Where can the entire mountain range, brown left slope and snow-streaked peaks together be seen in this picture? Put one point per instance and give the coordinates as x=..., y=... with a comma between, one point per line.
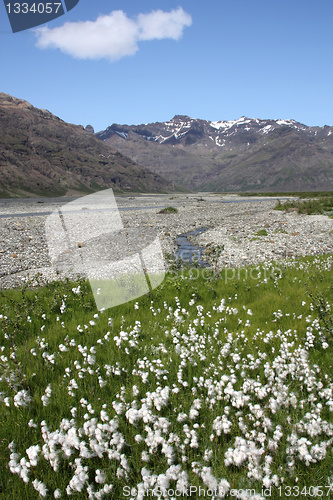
x=40, y=154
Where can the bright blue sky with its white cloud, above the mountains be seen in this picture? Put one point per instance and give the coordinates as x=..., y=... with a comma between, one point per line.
x=213, y=59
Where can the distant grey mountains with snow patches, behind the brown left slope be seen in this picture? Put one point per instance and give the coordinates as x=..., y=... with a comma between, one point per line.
x=241, y=155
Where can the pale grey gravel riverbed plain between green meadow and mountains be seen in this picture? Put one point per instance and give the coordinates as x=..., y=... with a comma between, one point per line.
x=233, y=223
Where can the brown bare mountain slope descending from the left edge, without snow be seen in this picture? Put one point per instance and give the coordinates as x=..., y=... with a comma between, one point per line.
x=43, y=155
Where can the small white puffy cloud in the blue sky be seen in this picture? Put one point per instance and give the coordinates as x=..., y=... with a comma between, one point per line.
x=113, y=36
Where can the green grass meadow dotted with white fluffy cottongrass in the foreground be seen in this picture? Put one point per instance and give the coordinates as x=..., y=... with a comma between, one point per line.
x=210, y=387
